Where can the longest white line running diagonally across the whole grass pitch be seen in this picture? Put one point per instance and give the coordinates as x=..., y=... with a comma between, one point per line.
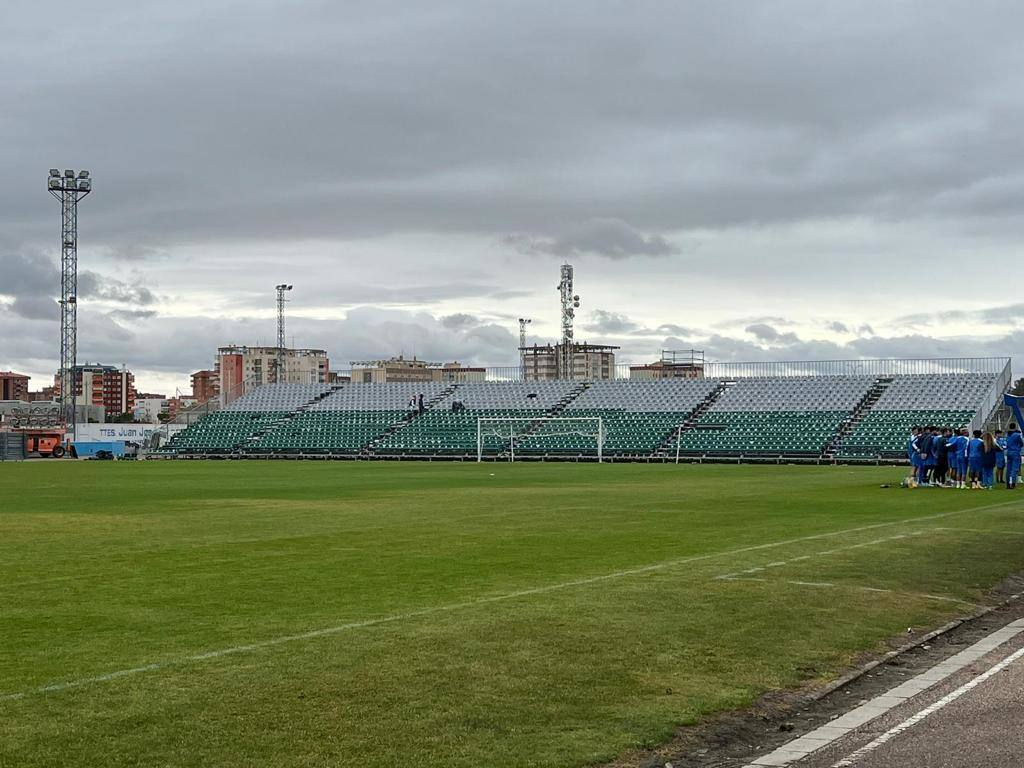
x=664, y=566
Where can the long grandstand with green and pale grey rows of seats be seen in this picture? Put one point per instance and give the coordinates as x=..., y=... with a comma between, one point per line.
x=850, y=411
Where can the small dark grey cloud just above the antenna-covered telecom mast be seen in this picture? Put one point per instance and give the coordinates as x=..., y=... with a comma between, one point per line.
x=612, y=238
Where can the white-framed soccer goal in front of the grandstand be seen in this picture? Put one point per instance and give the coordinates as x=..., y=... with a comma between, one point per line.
x=561, y=434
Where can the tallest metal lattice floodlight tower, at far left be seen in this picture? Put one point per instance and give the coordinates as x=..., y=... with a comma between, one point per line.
x=68, y=190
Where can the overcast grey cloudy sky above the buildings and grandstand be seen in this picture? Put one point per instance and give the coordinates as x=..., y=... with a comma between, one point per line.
x=763, y=181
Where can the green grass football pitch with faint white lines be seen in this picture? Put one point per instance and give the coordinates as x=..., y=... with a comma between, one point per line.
x=254, y=614
